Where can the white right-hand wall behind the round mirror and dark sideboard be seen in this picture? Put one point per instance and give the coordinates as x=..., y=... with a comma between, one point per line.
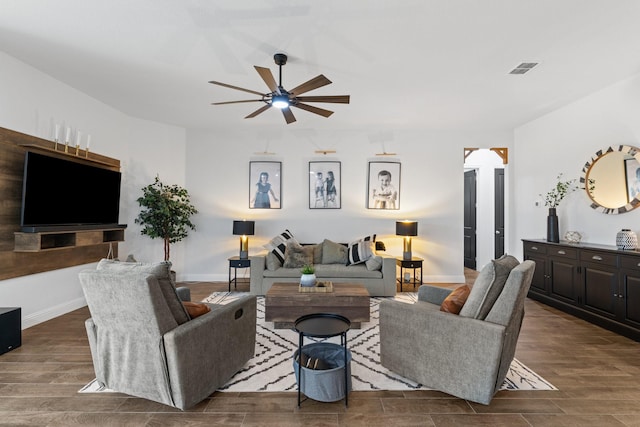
x=562, y=142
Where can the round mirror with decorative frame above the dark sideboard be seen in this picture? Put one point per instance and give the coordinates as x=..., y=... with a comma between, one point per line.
x=612, y=179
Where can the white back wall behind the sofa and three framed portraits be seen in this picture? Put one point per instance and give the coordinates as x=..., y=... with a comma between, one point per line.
x=431, y=193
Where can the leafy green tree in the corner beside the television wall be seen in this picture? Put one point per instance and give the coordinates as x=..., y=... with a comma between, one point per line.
x=166, y=213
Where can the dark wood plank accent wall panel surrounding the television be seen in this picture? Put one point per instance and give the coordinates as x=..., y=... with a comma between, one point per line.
x=13, y=146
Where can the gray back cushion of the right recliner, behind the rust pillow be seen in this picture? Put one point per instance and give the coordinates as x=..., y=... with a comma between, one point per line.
x=488, y=286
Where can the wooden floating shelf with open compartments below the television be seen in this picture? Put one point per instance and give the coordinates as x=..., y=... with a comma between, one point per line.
x=54, y=240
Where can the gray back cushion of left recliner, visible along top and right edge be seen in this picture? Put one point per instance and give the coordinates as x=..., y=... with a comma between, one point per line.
x=162, y=271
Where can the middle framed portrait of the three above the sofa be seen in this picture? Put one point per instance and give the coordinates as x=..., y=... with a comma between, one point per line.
x=324, y=185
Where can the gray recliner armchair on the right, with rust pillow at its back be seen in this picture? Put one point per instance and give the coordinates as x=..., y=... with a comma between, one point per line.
x=467, y=354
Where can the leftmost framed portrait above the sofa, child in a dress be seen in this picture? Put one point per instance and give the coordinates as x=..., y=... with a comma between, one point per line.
x=265, y=185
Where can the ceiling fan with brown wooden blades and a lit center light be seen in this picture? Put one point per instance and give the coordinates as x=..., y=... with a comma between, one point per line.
x=281, y=98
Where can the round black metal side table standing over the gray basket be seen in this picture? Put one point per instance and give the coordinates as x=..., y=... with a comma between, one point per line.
x=324, y=325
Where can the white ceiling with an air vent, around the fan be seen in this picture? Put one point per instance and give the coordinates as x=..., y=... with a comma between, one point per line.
x=432, y=64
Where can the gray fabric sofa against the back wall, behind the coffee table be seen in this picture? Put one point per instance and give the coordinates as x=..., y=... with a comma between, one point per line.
x=378, y=277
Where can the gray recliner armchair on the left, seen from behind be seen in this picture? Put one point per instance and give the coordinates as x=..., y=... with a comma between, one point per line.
x=143, y=342
